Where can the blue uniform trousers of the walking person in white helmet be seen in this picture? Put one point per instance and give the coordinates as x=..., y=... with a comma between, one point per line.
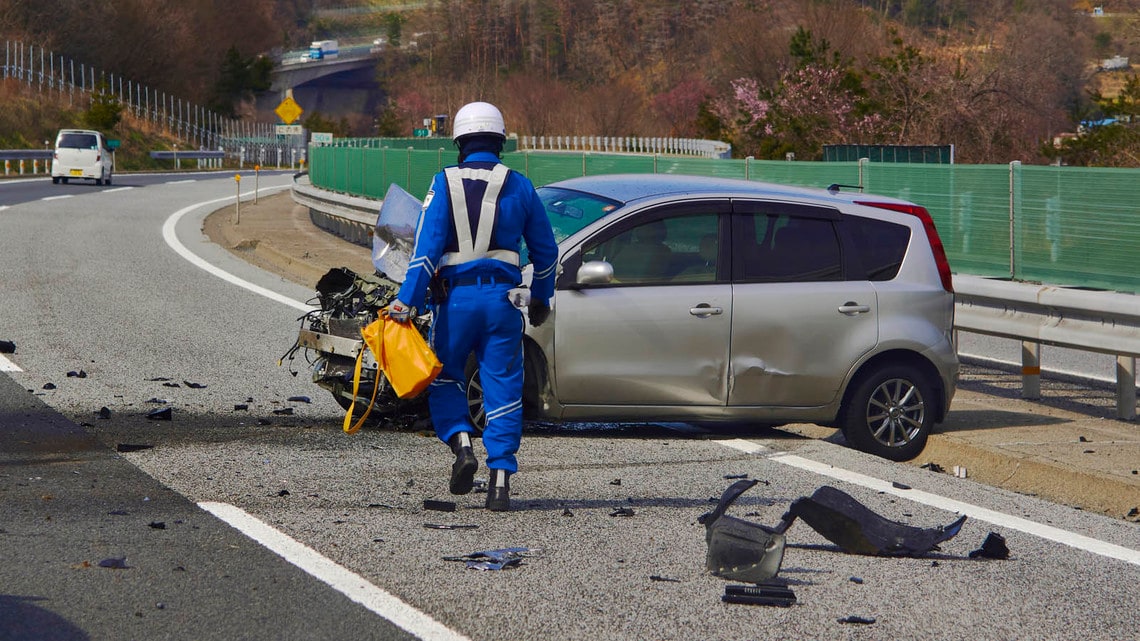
x=479, y=319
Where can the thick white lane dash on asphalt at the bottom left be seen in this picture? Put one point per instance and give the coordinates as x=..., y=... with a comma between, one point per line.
x=340, y=579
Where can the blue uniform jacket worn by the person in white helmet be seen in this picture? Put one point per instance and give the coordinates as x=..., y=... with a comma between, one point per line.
x=519, y=216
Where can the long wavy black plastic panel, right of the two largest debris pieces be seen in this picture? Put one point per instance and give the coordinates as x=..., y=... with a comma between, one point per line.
x=857, y=530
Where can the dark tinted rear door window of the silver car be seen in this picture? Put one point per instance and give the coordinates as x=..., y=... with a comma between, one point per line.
x=791, y=249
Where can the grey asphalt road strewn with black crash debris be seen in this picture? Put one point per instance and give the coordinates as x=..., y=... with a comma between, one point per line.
x=100, y=285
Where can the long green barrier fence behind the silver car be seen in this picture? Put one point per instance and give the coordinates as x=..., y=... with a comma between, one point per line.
x=1057, y=225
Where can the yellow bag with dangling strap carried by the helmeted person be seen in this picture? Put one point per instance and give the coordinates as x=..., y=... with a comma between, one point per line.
x=404, y=356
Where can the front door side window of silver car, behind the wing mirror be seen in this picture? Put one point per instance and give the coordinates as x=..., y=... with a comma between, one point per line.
x=682, y=249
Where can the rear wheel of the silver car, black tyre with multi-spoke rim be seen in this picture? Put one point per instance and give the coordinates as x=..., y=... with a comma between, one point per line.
x=891, y=413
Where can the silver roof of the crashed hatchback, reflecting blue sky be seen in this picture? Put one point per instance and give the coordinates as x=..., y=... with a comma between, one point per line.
x=629, y=188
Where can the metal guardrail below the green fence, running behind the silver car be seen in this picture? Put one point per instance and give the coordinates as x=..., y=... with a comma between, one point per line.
x=1081, y=320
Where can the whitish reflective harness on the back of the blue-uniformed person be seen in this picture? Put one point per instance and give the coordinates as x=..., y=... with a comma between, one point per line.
x=474, y=249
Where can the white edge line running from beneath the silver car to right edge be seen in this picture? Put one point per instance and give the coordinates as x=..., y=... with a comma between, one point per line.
x=1071, y=539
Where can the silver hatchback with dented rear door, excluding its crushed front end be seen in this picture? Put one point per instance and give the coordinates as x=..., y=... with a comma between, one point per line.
x=715, y=301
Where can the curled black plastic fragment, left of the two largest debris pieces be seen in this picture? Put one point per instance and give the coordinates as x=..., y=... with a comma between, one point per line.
x=740, y=550
